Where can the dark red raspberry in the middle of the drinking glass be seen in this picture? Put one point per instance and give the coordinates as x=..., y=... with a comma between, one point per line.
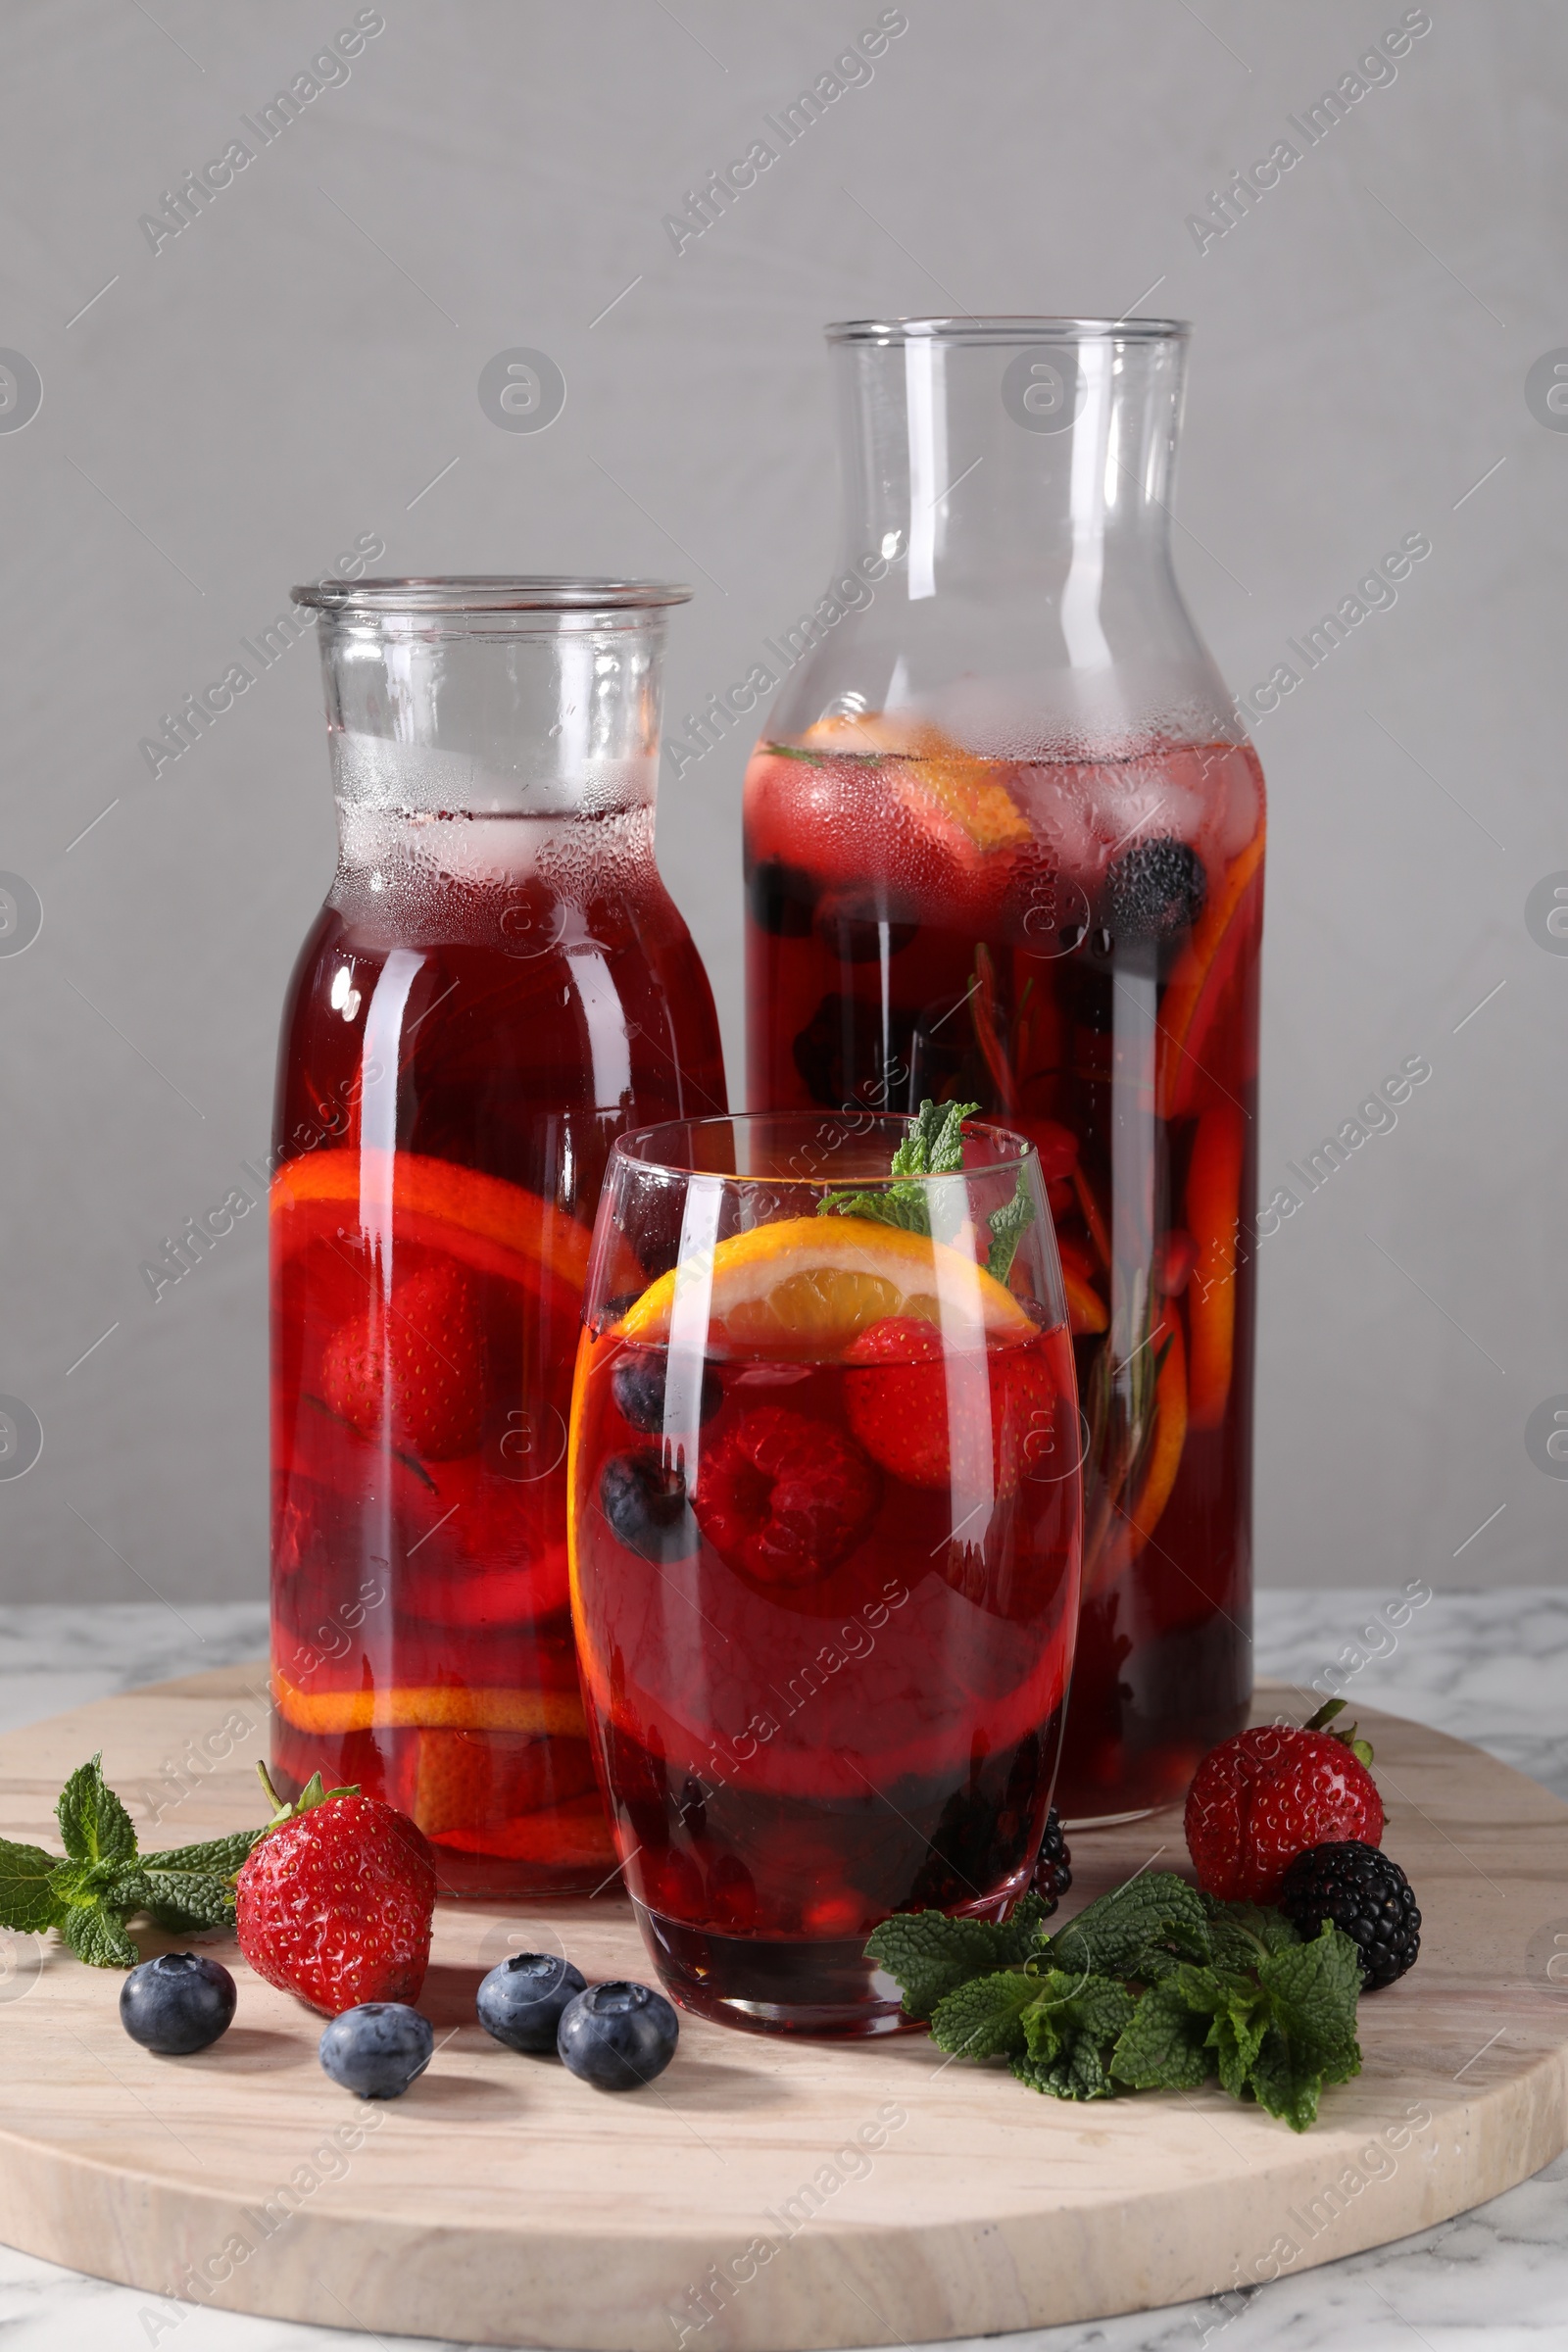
x=784, y=1497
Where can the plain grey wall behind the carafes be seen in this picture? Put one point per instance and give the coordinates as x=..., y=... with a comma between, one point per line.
x=302, y=366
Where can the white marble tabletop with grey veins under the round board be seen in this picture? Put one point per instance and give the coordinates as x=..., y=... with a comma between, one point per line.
x=1480, y=1666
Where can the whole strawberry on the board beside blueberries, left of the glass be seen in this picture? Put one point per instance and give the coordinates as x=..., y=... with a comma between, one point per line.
x=335, y=1904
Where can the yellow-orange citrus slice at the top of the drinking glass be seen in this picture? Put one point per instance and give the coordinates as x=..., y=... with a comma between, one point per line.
x=819, y=1281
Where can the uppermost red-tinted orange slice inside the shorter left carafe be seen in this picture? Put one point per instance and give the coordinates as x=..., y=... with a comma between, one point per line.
x=492, y=1227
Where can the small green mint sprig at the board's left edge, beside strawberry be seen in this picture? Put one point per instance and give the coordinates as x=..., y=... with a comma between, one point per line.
x=105, y=1880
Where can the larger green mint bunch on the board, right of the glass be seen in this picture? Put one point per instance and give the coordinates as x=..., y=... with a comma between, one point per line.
x=1151, y=1989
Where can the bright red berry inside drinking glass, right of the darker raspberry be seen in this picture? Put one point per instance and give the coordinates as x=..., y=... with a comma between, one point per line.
x=899, y=1401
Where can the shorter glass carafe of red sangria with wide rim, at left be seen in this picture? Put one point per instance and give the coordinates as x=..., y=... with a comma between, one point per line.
x=495, y=989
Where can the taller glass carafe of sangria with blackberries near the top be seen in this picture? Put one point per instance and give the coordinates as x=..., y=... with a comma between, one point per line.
x=1005, y=843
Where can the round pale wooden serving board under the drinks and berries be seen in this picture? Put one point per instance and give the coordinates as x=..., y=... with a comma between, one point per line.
x=765, y=2193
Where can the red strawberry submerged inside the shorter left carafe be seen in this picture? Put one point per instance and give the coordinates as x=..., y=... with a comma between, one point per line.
x=424, y=1361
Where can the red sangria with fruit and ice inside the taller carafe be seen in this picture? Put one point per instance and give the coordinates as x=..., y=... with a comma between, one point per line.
x=1108, y=1010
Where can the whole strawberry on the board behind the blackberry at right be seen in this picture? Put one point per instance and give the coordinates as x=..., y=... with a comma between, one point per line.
x=1268, y=1796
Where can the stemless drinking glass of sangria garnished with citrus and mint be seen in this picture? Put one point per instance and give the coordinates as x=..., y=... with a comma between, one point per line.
x=824, y=1542
